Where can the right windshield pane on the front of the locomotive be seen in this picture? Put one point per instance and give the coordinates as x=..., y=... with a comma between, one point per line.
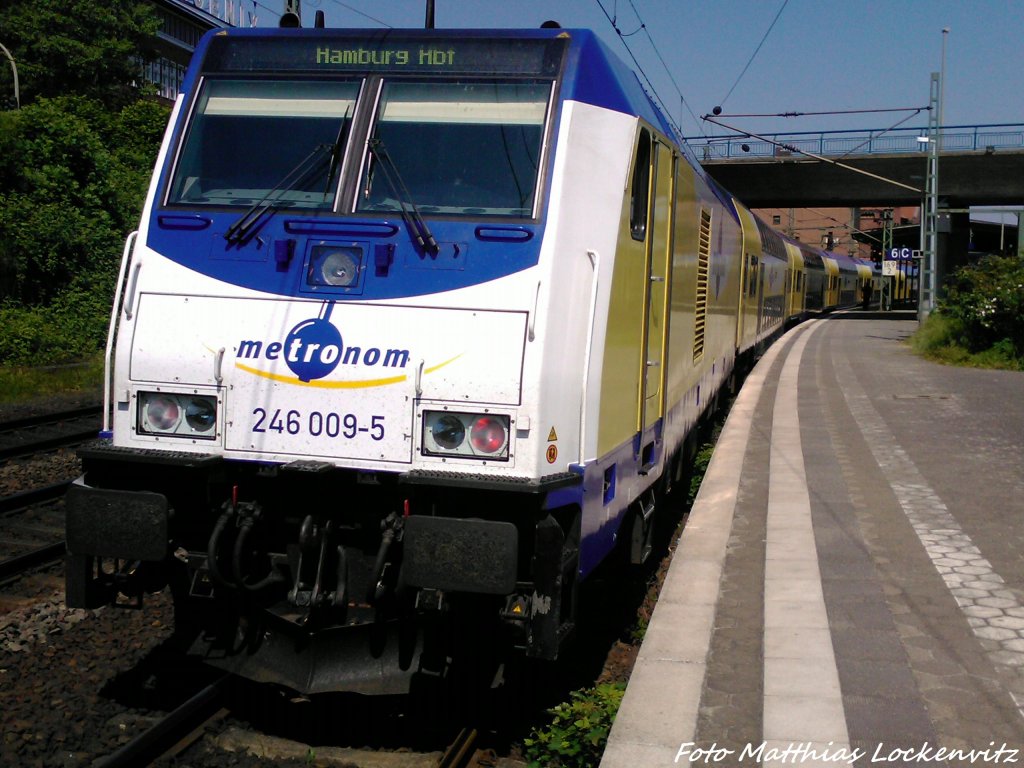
x=459, y=148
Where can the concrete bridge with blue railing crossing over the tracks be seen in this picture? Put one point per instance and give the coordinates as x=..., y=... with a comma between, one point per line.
x=979, y=165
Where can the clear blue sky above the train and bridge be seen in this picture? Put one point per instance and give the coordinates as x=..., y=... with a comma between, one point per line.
x=769, y=57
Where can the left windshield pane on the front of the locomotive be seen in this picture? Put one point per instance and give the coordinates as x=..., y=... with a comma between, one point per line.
x=251, y=139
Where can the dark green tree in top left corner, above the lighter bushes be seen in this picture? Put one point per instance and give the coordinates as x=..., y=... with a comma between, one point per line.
x=93, y=50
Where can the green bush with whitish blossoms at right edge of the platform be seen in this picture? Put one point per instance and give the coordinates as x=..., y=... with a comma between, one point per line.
x=988, y=302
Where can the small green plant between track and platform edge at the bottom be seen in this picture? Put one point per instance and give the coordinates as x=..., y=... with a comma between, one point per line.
x=579, y=730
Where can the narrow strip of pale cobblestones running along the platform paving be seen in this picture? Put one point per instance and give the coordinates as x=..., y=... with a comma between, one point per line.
x=994, y=612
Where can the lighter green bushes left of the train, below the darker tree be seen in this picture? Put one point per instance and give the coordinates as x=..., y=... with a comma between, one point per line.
x=73, y=179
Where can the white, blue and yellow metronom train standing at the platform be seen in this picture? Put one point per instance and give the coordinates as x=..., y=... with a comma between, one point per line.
x=416, y=329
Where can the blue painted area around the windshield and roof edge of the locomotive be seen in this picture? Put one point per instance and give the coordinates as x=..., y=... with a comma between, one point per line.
x=591, y=75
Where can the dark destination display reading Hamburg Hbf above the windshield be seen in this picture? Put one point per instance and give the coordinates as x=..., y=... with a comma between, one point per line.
x=391, y=54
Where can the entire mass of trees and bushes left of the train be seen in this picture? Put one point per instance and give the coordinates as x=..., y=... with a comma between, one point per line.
x=75, y=163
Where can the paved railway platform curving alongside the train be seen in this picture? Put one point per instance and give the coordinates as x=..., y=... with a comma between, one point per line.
x=849, y=587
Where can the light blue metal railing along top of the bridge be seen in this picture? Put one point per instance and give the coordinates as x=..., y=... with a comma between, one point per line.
x=836, y=144
